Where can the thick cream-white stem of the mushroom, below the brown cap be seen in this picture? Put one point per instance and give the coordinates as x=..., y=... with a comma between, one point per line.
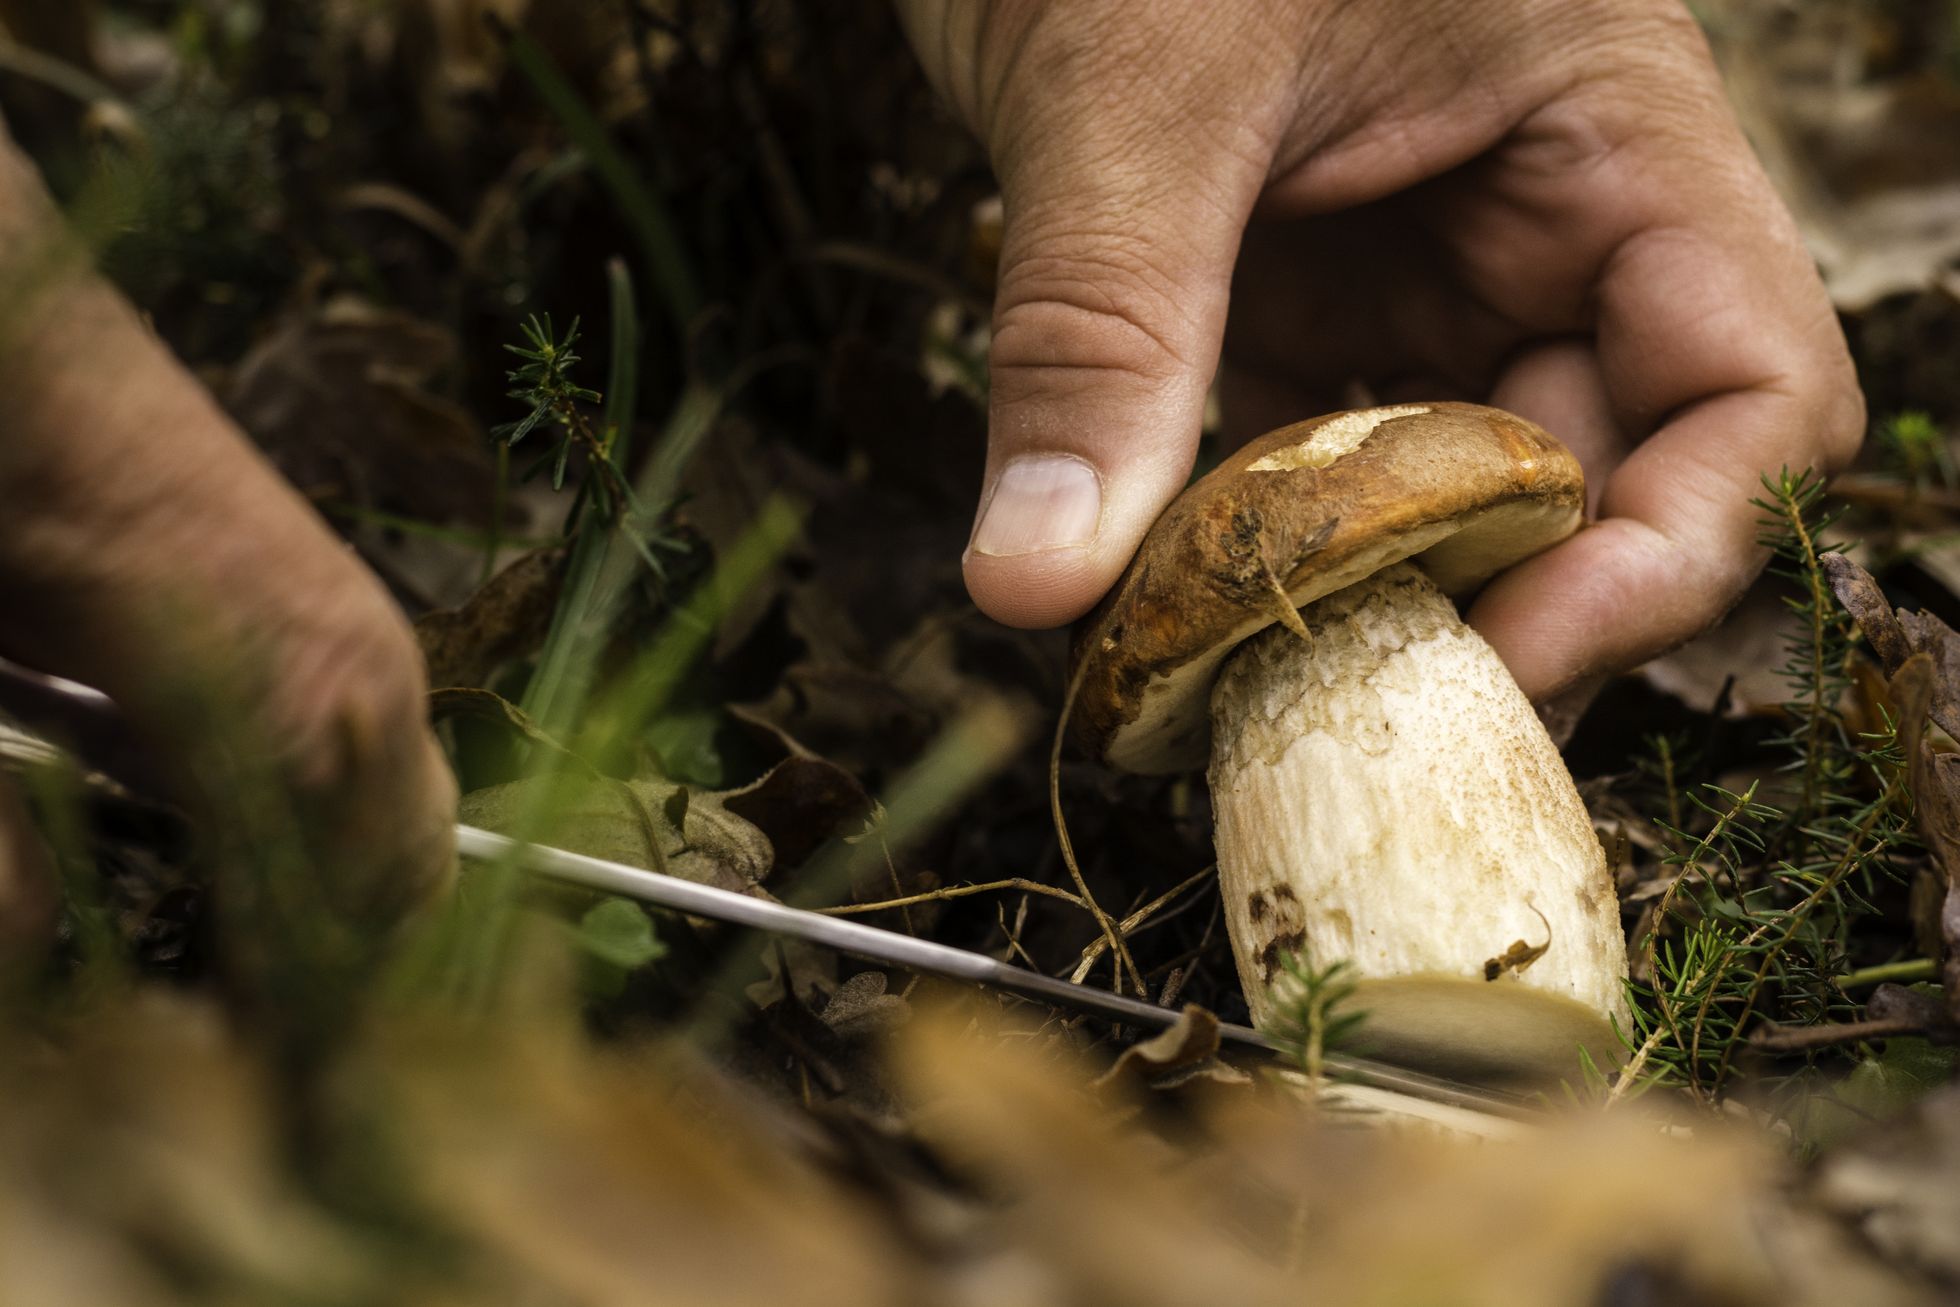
x=1387, y=795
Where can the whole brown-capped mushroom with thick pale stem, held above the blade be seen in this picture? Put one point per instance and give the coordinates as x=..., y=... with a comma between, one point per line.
x=1383, y=791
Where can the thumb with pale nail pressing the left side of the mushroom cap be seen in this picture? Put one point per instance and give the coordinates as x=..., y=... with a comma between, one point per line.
x=1116, y=262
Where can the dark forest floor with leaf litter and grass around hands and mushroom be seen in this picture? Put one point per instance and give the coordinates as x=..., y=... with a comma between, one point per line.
x=707, y=616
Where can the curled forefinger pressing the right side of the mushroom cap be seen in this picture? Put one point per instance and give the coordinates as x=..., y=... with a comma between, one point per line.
x=1714, y=336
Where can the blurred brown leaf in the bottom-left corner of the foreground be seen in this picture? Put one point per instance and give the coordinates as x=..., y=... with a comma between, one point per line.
x=150, y=1143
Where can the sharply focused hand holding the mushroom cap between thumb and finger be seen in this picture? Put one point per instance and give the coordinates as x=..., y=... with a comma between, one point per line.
x=1543, y=207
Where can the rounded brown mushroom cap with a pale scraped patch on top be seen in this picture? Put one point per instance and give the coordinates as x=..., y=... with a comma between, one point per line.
x=1461, y=489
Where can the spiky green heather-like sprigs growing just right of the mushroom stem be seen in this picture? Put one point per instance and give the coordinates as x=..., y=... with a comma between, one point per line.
x=1759, y=916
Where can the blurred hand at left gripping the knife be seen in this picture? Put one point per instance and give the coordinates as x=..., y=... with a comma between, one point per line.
x=150, y=552
